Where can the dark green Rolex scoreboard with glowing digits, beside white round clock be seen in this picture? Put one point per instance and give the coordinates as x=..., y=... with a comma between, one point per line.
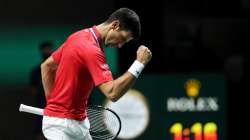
x=185, y=107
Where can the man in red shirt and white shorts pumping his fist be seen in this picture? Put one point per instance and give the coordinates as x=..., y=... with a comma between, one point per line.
x=72, y=71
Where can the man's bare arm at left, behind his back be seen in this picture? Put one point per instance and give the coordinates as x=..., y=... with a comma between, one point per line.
x=48, y=78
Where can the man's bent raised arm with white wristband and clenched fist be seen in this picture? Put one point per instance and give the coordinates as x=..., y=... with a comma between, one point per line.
x=117, y=88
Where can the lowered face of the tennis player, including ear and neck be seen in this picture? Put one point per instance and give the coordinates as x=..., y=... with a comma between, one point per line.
x=117, y=38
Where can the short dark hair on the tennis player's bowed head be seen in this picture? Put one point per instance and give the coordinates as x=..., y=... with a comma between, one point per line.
x=129, y=21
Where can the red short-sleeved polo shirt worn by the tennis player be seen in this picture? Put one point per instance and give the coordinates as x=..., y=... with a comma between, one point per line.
x=81, y=66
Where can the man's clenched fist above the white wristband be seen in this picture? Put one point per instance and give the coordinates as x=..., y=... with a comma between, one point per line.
x=144, y=55
